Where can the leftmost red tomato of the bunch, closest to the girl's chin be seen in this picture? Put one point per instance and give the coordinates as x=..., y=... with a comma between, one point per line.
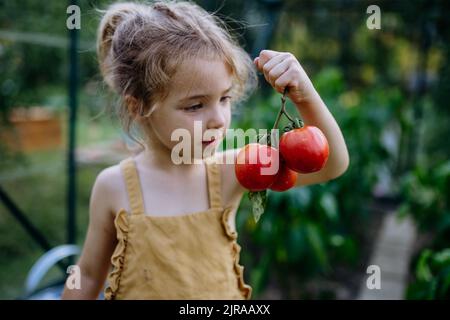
x=251, y=161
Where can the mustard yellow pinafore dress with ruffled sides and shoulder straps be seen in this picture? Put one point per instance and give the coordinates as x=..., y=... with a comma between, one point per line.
x=189, y=256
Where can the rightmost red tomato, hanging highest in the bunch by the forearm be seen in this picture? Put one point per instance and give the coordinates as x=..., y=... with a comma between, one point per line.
x=304, y=149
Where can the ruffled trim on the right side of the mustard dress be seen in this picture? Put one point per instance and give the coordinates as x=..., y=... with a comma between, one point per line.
x=245, y=289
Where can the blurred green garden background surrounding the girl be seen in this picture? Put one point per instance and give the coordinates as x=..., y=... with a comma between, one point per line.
x=387, y=88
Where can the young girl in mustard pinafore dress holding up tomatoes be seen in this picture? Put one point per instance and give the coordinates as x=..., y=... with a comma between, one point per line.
x=168, y=231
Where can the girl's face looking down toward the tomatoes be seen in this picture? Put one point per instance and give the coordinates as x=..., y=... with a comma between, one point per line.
x=199, y=94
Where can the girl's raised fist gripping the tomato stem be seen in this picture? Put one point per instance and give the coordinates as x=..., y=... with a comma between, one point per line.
x=282, y=70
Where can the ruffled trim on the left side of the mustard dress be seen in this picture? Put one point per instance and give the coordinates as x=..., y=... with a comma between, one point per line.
x=117, y=259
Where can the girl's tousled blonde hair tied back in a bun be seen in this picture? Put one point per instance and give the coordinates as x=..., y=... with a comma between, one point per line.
x=140, y=47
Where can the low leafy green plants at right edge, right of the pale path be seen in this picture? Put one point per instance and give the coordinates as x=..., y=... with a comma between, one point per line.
x=426, y=198
